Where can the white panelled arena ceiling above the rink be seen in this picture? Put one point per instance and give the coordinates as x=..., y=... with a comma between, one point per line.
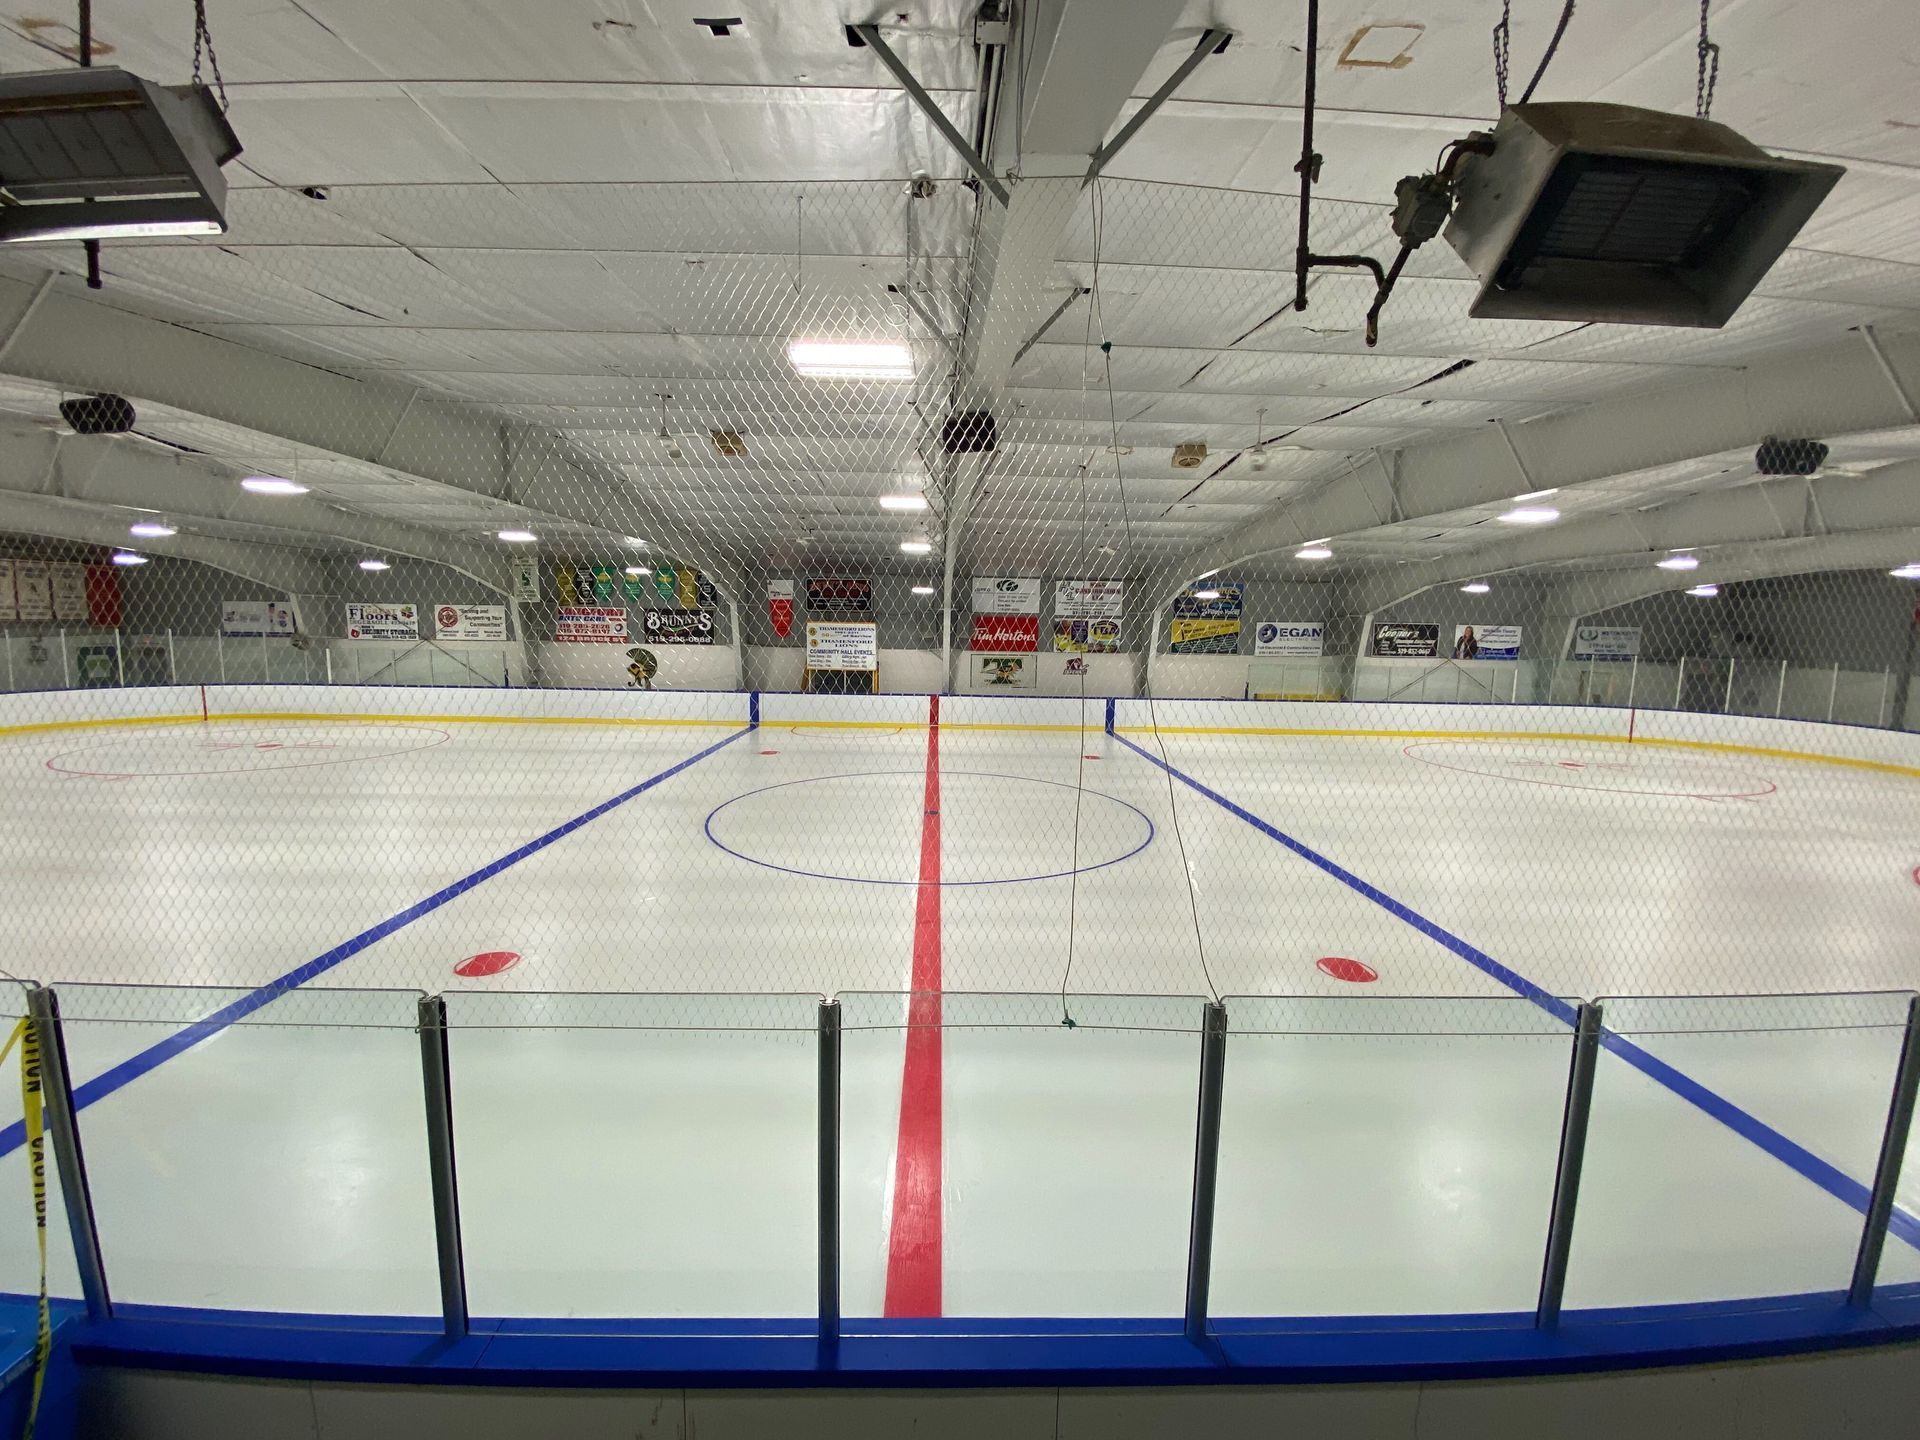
x=552, y=216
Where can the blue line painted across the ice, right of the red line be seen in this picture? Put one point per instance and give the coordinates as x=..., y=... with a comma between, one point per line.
x=1796, y=1157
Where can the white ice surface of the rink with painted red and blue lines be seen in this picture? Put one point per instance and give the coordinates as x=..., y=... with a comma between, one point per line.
x=1397, y=923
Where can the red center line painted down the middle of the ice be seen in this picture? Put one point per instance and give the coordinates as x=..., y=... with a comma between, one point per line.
x=915, y=1247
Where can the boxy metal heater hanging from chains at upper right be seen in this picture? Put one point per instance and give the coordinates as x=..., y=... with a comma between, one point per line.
x=1616, y=214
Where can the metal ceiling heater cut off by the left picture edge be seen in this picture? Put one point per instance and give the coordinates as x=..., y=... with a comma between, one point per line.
x=101, y=155
